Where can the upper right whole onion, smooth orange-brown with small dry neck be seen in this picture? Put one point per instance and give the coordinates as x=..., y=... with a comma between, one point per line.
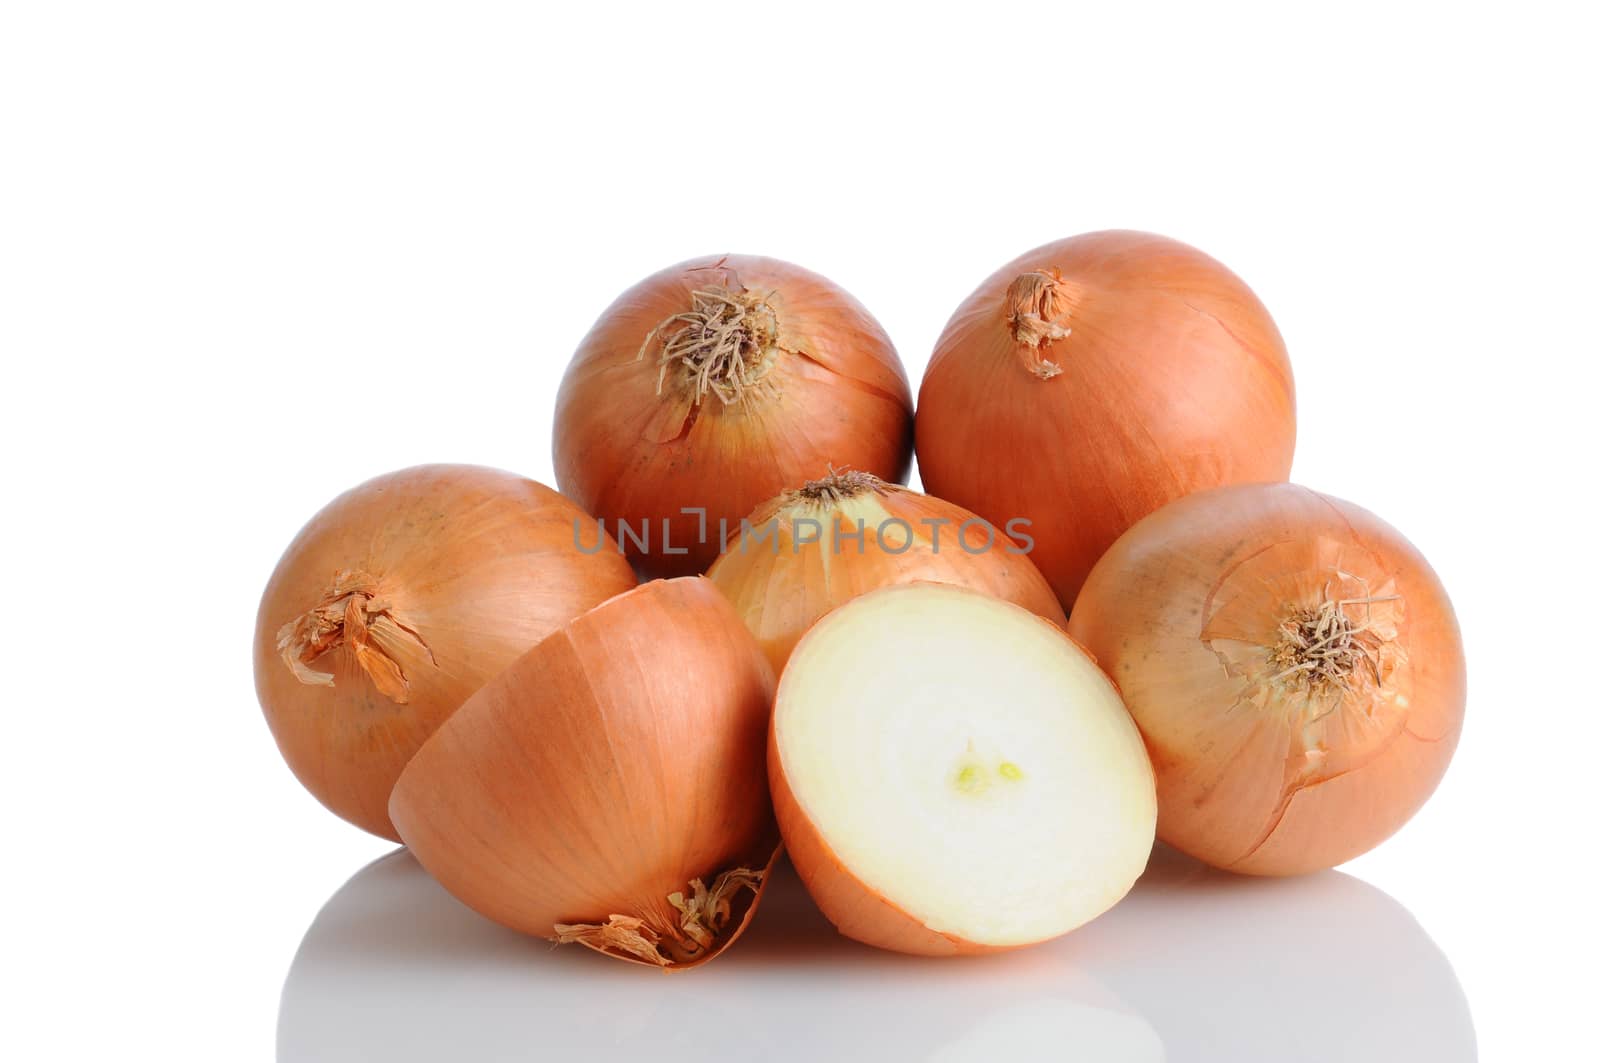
x=1094, y=380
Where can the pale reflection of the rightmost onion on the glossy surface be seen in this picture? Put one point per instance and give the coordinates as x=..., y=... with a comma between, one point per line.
x=1321, y=968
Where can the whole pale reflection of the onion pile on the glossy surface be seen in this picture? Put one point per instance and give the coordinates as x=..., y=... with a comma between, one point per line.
x=1193, y=966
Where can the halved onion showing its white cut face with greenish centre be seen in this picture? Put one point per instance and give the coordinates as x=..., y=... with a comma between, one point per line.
x=954, y=776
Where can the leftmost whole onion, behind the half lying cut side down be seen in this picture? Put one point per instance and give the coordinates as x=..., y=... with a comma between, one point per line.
x=455, y=572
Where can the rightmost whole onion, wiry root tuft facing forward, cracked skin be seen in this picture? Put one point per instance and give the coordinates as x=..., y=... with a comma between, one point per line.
x=1201, y=611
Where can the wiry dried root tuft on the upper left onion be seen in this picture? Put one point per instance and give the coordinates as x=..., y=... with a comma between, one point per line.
x=724, y=347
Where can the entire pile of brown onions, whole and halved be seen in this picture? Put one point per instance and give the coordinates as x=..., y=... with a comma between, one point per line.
x=889, y=683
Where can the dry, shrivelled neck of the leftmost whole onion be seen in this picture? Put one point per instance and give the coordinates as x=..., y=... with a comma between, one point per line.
x=351, y=616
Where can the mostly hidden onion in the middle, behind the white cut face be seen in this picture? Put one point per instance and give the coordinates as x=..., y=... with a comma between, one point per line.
x=847, y=534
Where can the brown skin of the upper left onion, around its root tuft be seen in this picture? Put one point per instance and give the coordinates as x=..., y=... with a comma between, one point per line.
x=634, y=443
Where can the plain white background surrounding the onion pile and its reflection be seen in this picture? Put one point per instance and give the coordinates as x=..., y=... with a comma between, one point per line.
x=252, y=255
